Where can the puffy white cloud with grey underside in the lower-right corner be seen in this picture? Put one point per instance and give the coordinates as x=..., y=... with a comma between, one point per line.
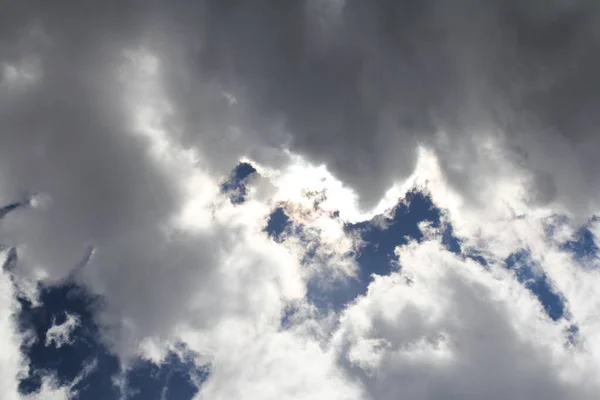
x=444, y=326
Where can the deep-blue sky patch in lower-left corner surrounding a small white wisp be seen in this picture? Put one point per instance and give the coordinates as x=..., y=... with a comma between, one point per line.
x=67, y=362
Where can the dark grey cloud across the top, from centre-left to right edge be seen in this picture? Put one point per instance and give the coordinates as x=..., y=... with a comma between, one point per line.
x=361, y=86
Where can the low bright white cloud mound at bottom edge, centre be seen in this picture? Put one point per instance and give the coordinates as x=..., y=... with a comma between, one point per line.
x=275, y=365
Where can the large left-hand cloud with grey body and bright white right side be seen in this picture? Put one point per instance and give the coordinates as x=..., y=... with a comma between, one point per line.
x=82, y=135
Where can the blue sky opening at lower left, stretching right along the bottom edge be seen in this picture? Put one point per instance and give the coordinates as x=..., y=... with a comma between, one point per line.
x=175, y=378
